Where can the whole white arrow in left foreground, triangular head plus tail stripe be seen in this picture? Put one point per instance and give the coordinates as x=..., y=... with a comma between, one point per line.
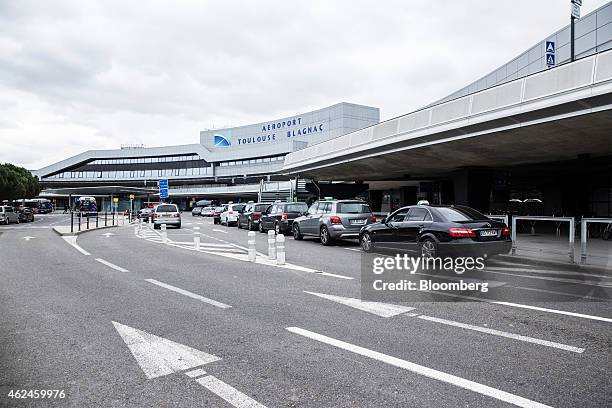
x=158, y=357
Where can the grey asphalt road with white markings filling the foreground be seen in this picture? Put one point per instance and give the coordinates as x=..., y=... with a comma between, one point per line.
x=123, y=325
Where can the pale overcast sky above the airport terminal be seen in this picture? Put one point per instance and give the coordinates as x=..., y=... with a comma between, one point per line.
x=78, y=75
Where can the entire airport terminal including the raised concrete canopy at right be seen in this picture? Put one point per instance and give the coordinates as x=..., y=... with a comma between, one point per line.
x=528, y=131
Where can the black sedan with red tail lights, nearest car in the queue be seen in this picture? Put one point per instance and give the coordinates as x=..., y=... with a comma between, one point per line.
x=432, y=231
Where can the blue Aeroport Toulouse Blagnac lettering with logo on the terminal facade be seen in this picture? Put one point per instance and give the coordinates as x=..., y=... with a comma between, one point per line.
x=270, y=132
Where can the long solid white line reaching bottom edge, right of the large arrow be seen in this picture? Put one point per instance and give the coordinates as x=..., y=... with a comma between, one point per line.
x=422, y=370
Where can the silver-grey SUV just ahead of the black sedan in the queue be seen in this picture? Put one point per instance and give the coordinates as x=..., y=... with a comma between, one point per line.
x=333, y=219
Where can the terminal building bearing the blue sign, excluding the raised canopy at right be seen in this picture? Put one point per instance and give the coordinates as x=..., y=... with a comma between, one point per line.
x=227, y=164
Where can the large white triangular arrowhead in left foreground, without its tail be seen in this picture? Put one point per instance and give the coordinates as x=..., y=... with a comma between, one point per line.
x=158, y=356
